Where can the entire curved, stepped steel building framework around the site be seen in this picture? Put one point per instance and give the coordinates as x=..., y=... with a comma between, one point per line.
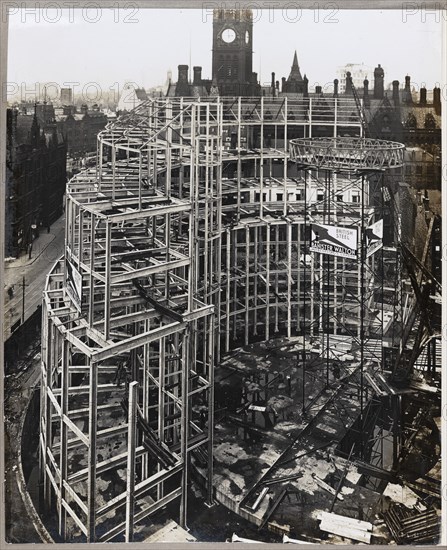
x=188, y=237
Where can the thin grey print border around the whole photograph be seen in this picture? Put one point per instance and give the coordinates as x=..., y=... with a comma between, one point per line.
x=341, y=4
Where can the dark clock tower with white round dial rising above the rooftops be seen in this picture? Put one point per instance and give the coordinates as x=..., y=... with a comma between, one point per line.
x=233, y=52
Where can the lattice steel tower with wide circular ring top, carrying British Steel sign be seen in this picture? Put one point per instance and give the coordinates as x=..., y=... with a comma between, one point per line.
x=365, y=161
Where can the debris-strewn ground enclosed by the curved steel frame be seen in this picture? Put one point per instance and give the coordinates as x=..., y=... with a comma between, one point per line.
x=281, y=468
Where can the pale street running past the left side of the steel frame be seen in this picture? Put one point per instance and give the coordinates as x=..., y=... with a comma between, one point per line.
x=27, y=275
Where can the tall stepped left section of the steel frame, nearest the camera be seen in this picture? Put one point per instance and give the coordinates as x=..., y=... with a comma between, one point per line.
x=124, y=327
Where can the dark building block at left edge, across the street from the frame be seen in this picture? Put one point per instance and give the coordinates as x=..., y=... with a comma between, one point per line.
x=35, y=179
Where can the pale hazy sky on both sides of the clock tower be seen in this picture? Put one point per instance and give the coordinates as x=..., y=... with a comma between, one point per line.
x=109, y=46
